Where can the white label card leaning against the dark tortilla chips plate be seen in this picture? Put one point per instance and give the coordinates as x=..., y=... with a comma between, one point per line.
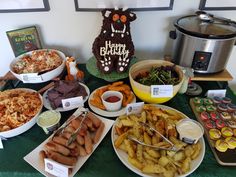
x=74, y=102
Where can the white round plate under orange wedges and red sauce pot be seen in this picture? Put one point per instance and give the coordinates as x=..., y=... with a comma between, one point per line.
x=108, y=113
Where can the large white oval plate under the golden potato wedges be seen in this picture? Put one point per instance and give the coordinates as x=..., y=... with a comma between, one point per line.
x=123, y=156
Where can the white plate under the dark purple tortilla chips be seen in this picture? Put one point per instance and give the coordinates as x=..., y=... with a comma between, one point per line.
x=47, y=104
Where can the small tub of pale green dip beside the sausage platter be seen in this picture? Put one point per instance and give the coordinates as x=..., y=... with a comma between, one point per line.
x=49, y=120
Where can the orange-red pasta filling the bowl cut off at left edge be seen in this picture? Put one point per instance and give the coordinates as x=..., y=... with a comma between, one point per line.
x=18, y=106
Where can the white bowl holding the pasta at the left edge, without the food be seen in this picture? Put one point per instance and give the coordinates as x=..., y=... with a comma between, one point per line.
x=23, y=128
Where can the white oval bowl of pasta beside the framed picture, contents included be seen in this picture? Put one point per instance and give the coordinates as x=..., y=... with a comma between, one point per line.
x=38, y=66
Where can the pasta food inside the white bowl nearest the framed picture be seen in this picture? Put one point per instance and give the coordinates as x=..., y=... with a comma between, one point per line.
x=39, y=61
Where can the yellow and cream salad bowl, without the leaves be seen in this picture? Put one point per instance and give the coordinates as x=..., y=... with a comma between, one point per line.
x=144, y=91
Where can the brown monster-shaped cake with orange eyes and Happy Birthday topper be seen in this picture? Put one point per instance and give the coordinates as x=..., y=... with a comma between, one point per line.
x=113, y=48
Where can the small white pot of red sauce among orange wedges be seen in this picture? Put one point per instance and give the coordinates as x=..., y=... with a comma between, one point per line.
x=112, y=100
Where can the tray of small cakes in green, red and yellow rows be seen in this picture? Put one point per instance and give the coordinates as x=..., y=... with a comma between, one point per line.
x=218, y=116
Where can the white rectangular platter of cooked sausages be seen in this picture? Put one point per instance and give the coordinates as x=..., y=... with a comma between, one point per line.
x=55, y=148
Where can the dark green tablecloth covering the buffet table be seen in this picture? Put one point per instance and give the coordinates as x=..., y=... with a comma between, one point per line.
x=103, y=162
